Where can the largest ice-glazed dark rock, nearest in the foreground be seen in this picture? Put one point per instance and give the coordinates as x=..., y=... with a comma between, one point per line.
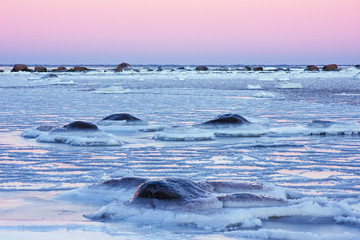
x=186, y=195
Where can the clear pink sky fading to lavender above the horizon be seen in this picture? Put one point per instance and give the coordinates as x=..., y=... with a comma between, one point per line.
x=180, y=31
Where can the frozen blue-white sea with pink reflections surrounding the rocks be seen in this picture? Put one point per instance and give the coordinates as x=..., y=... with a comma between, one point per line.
x=302, y=146
